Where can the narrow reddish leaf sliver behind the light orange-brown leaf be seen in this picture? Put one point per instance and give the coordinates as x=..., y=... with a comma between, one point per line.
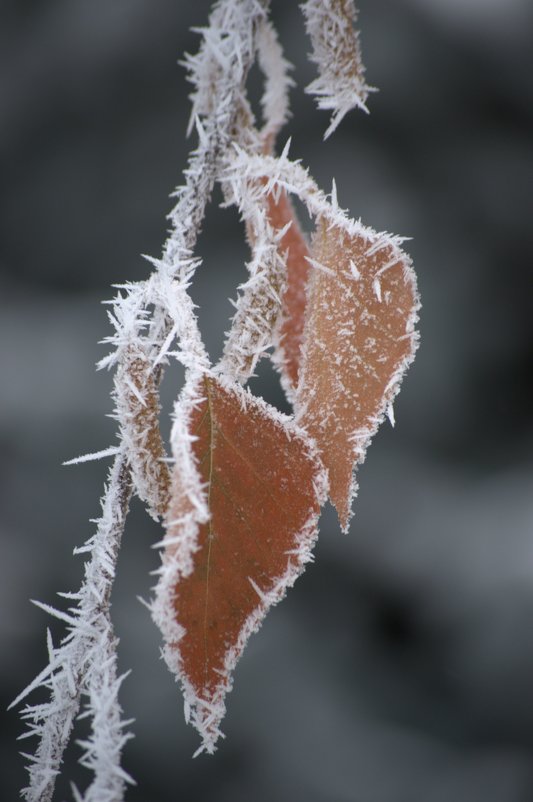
x=280, y=213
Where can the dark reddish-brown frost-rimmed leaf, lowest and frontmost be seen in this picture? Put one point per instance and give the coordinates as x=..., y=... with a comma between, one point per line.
x=264, y=487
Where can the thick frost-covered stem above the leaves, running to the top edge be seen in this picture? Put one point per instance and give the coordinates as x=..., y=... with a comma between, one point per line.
x=218, y=73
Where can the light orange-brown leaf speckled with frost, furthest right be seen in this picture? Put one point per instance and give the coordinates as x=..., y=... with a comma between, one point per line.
x=359, y=340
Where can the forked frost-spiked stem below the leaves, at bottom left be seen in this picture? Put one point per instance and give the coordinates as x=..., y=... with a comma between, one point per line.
x=84, y=665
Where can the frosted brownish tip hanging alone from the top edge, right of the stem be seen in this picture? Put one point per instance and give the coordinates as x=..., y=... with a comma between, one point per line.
x=340, y=85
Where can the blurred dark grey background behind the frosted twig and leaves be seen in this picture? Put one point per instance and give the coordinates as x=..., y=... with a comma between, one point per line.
x=400, y=667
